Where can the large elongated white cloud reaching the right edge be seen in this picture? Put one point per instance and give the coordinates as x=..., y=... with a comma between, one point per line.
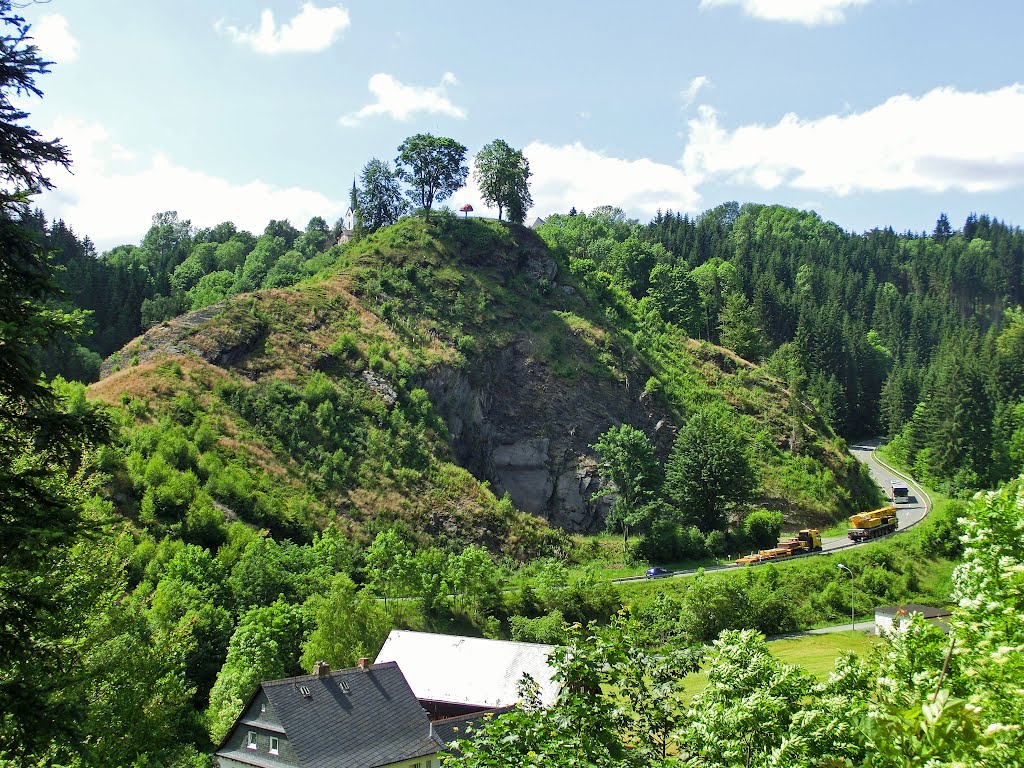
x=942, y=141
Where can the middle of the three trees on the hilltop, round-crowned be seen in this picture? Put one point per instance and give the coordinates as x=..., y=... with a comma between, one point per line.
x=434, y=166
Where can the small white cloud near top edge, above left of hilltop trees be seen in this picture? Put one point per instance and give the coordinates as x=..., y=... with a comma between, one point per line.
x=313, y=30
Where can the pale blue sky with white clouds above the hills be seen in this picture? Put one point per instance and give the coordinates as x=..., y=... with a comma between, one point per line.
x=872, y=113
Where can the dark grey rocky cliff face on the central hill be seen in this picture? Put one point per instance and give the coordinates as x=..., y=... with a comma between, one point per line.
x=529, y=434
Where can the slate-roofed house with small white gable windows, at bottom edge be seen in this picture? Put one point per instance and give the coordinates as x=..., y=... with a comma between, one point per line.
x=365, y=717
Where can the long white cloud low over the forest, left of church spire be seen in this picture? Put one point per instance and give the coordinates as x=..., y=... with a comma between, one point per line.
x=114, y=194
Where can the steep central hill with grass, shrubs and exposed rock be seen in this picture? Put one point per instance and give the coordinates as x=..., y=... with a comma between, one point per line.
x=366, y=396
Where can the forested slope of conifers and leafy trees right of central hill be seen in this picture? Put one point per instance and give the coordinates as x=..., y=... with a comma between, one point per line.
x=919, y=337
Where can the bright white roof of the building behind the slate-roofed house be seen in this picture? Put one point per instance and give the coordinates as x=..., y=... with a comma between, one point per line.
x=468, y=670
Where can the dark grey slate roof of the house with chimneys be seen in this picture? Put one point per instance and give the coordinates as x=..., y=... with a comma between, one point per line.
x=377, y=722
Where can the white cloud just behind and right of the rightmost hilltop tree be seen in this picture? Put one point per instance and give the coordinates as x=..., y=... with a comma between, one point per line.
x=572, y=176
